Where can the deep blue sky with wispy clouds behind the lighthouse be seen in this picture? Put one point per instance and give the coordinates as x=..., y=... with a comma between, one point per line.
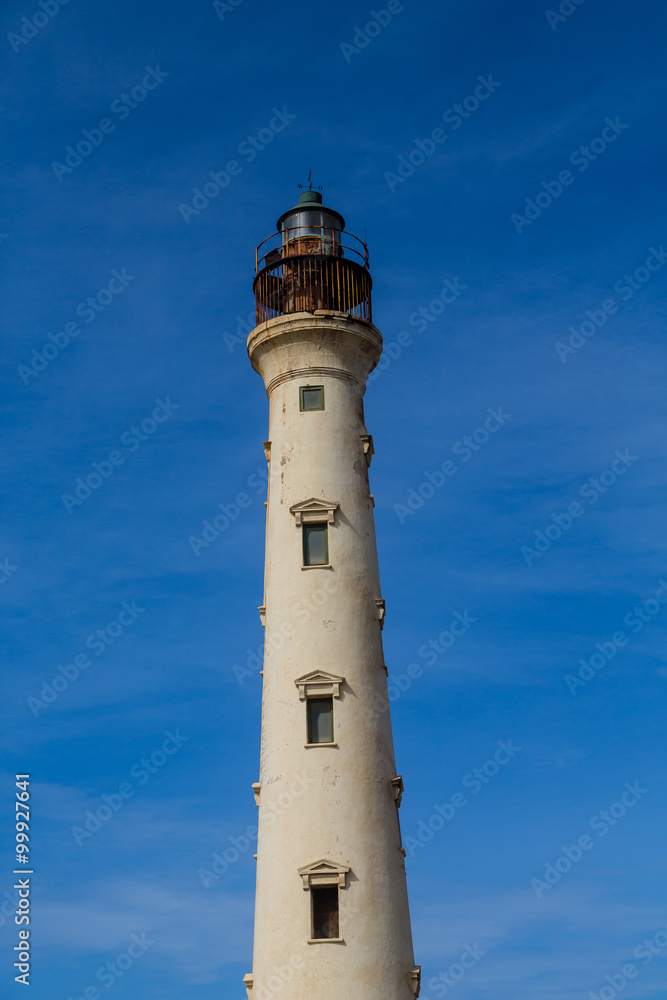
x=162, y=338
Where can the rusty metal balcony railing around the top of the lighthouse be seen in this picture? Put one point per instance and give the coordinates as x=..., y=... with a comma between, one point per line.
x=311, y=269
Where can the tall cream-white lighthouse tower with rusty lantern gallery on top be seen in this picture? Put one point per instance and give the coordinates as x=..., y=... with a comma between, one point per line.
x=331, y=909
